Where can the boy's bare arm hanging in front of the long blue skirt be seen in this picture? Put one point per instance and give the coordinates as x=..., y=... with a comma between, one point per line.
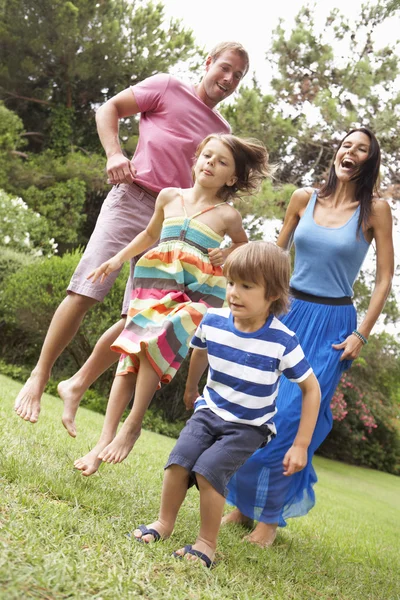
x=296, y=457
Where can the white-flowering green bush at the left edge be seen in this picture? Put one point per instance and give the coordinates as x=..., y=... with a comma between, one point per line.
x=23, y=229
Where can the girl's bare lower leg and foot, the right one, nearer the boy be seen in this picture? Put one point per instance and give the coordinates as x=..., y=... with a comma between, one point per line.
x=146, y=386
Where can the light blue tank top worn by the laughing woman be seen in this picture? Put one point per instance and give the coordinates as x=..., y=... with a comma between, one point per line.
x=327, y=259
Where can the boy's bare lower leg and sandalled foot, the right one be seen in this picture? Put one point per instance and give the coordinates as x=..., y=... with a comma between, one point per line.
x=211, y=509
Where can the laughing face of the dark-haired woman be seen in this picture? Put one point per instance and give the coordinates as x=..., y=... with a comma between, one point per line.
x=351, y=155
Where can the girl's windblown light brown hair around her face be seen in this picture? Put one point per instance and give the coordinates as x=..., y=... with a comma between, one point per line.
x=251, y=164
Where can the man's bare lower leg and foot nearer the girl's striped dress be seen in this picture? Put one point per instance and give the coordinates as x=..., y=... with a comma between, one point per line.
x=72, y=390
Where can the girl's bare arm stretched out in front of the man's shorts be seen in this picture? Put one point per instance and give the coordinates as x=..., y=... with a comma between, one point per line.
x=144, y=240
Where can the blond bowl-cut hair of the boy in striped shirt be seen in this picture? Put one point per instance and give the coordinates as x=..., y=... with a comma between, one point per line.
x=263, y=263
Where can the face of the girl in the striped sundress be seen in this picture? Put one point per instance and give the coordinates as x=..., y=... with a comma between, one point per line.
x=215, y=166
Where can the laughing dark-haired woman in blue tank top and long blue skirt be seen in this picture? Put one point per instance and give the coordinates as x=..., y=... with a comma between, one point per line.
x=332, y=229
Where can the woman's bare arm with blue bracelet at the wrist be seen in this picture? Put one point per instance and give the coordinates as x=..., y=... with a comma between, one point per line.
x=381, y=224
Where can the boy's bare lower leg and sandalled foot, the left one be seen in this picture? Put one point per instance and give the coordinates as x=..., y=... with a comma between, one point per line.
x=174, y=490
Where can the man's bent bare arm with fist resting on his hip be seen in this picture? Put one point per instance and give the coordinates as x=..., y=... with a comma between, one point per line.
x=119, y=168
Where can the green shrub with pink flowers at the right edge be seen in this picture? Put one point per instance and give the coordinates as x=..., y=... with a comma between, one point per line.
x=366, y=408
